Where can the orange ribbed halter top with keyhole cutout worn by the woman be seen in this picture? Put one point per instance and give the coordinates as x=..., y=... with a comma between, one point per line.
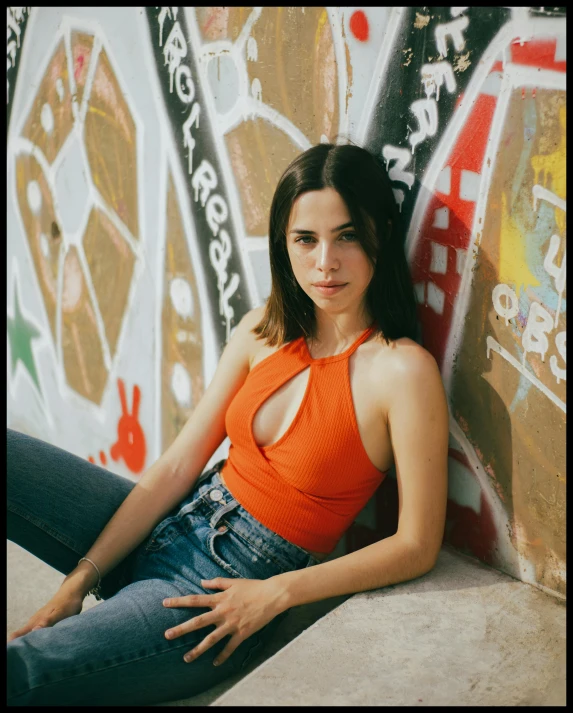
x=308, y=486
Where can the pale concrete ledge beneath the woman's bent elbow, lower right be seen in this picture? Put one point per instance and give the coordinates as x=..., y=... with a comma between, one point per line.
x=464, y=634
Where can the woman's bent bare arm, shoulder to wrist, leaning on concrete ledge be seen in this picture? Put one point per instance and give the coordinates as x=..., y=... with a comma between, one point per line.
x=418, y=427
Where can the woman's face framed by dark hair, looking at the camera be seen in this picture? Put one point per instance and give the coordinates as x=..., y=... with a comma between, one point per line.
x=327, y=259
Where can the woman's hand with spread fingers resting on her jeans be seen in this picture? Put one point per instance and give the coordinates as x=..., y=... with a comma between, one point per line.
x=243, y=607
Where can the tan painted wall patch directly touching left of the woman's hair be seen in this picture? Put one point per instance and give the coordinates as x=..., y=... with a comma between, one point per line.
x=259, y=153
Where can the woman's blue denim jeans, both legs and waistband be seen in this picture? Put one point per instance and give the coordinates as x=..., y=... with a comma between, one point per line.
x=116, y=653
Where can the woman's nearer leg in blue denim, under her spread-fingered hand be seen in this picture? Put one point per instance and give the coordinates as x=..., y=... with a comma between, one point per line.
x=116, y=653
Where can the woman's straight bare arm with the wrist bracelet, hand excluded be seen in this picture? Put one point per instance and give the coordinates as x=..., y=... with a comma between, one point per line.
x=172, y=476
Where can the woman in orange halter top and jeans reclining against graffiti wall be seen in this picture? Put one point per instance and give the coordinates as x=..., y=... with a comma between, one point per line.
x=321, y=392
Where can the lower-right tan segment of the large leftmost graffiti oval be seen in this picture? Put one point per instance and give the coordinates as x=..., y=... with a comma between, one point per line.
x=111, y=262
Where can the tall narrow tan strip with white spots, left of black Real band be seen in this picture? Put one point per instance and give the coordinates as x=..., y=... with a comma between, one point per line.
x=182, y=341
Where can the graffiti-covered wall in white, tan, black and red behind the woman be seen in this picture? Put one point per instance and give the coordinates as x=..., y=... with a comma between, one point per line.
x=144, y=147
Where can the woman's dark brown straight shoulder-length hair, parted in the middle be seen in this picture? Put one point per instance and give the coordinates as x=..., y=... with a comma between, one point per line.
x=366, y=190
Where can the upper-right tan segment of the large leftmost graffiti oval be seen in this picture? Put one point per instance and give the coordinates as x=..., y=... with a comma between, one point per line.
x=110, y=139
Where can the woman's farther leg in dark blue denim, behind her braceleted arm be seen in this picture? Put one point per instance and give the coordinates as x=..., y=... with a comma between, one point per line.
x=58, y=504
